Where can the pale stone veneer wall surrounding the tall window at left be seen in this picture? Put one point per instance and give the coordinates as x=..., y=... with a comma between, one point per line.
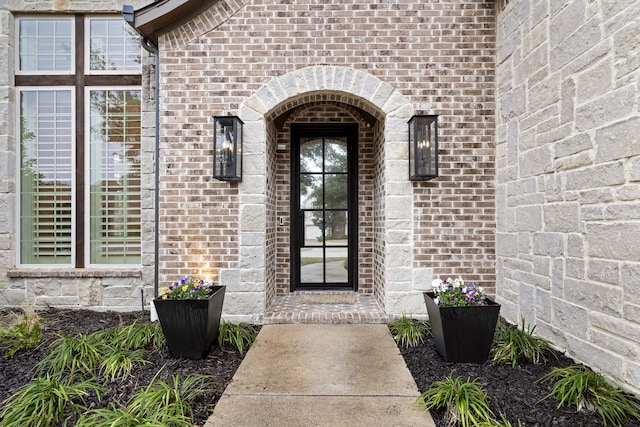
x=97, y=288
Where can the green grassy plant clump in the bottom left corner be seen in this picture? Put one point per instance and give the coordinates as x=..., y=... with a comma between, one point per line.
x=44, y=402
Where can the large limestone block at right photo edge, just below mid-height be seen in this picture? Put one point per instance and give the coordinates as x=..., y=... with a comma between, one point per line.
x=614, y=241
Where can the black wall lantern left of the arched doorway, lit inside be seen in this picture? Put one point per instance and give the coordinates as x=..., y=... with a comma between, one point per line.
x=227, y=148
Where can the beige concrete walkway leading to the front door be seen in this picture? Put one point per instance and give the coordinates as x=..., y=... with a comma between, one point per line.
x=321, y=375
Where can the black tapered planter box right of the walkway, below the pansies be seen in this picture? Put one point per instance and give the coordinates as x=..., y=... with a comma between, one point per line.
x=463, y=334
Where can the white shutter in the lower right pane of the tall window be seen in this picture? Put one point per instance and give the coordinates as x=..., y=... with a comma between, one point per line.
x=114, y=184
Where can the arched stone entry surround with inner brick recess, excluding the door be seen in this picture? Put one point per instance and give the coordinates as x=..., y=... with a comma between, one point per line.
x=326, y=94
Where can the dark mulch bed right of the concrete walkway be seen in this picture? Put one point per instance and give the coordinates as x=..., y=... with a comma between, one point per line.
x=515, y=392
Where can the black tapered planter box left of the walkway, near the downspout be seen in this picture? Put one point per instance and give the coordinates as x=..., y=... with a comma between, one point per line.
x=190, y=326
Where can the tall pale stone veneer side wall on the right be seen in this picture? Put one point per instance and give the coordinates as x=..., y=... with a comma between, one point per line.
x=568, y=177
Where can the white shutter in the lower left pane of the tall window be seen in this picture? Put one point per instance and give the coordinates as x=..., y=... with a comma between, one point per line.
x=46, y=179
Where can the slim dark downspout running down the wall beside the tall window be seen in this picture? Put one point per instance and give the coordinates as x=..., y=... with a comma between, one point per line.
x=128, y=14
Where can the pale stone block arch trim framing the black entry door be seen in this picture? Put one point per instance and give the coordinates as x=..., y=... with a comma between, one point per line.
x=352, y=88
